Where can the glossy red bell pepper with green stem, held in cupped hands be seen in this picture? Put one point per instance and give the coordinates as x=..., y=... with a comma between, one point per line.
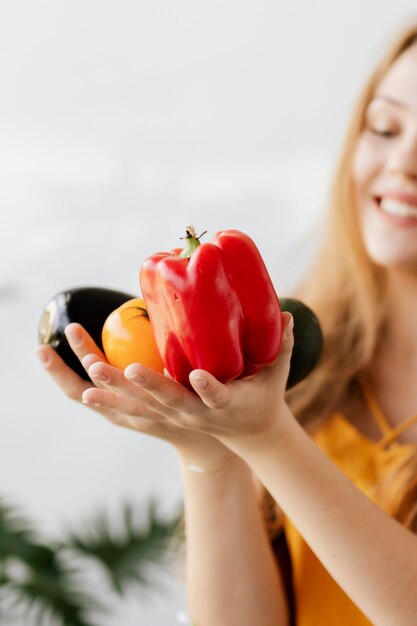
x=213, y=307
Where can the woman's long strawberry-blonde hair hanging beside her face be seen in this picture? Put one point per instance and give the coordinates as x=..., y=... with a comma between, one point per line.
x=347, y=291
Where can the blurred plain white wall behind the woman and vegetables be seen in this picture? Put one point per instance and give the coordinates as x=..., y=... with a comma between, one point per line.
x=120, y=124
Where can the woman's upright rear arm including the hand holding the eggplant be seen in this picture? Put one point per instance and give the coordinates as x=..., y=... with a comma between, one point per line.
x=232, y=577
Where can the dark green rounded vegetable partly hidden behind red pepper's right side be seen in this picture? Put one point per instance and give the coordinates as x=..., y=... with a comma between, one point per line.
x=308, y=340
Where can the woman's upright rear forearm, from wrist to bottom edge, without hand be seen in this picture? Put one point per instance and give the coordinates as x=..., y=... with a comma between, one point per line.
x=232, y=576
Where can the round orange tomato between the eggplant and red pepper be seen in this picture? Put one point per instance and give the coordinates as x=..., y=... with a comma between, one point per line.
x=128, y=337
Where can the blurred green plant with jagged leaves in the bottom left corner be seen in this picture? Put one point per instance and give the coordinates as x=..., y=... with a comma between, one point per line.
x=42, y=581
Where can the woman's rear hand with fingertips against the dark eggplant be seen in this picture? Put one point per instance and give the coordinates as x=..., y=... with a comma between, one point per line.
x=194, y=448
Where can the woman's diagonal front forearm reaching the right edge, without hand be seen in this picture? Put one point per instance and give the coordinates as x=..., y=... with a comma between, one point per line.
x=371, y=556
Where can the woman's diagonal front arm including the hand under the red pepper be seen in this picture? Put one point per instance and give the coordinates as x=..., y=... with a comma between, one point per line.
x=371, y=556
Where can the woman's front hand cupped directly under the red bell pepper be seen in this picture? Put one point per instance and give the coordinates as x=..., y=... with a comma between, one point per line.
x=233, y=412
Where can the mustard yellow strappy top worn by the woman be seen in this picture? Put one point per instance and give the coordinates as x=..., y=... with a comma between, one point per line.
x=319, y=599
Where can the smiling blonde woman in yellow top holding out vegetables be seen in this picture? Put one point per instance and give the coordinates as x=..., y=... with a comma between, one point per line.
x=348, y=489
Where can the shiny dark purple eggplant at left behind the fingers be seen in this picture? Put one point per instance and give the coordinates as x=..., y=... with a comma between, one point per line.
x=89, y=306
